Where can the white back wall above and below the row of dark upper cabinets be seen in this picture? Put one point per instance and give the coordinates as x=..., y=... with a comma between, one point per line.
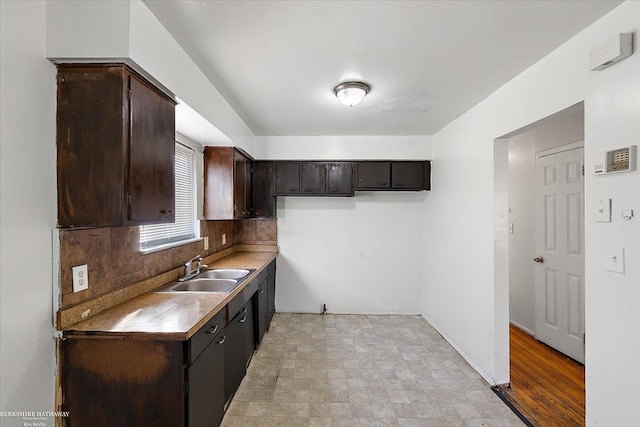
x=321, y=239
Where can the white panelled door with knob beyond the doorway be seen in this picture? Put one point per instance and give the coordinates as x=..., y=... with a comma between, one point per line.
x=559, y=243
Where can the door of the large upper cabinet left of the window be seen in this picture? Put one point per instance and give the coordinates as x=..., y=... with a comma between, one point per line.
x=151, y=155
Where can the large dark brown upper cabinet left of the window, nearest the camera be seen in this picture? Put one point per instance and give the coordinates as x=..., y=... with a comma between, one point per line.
x=115, y=136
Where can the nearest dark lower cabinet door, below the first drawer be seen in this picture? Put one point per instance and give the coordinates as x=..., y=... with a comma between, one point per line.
x=205, y=395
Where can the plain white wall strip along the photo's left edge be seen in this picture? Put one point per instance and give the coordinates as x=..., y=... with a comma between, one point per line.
x=28, y=211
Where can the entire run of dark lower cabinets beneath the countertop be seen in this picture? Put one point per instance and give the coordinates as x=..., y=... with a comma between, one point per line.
x=128, y=382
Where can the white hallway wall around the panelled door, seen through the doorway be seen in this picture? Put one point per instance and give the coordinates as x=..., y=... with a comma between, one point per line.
x=551, y=132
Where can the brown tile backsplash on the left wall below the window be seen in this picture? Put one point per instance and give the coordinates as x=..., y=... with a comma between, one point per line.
x=114, y=260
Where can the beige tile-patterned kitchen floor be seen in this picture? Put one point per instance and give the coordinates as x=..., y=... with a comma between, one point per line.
x=355, y=370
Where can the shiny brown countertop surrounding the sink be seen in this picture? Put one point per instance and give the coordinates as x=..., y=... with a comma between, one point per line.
x=168, y=315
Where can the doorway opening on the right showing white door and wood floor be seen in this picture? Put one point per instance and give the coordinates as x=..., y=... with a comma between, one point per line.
x=555, y=304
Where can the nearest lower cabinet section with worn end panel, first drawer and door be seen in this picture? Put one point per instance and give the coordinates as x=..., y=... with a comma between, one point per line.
x=146, y=382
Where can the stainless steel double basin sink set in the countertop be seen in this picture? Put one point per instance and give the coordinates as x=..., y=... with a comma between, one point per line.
x=215, y=280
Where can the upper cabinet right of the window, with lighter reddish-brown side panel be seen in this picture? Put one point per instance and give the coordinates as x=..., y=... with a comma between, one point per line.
x=227, y=183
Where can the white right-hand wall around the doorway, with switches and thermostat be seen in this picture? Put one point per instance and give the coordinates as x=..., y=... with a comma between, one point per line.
x=468, y=304
